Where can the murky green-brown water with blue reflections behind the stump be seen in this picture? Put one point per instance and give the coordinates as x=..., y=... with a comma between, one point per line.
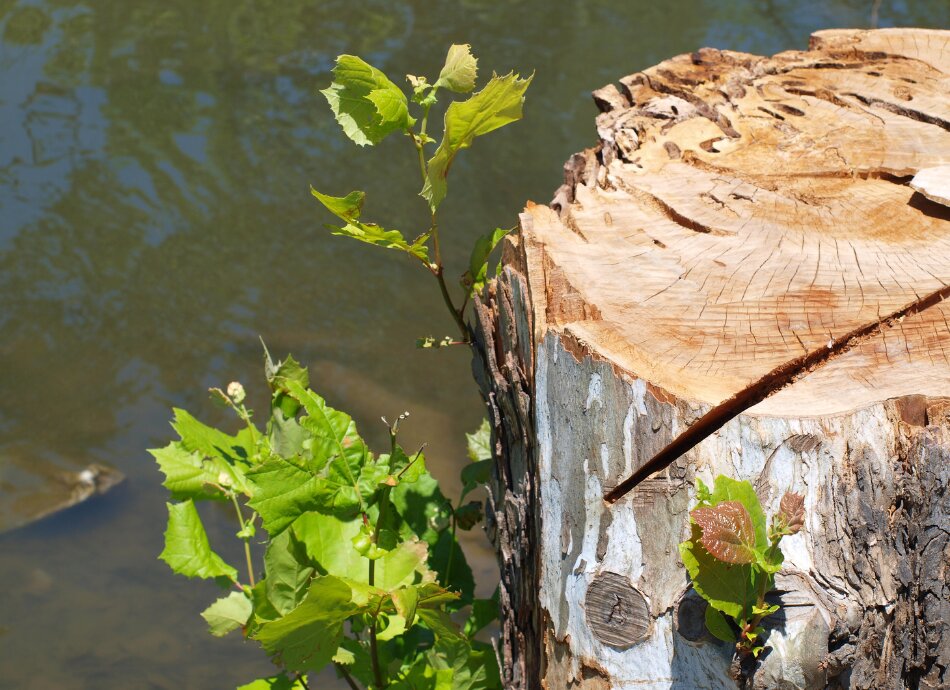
x=155, y=220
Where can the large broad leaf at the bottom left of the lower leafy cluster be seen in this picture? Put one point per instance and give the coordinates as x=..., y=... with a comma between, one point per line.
x=309, y=636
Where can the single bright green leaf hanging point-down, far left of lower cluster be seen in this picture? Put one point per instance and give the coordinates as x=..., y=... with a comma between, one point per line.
x=187, y=551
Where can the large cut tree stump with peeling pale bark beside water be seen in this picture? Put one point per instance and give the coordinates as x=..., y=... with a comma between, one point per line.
x=739, y=279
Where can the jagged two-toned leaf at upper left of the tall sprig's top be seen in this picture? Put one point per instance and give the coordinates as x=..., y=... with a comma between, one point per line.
x=365, y=120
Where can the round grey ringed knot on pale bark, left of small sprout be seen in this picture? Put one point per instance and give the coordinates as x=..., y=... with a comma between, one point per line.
x=617, y=613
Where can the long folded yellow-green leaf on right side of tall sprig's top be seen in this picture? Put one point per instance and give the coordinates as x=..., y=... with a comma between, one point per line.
x=497, y=105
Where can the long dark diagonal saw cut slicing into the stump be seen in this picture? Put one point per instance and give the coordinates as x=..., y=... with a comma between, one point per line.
x=782, y=376
